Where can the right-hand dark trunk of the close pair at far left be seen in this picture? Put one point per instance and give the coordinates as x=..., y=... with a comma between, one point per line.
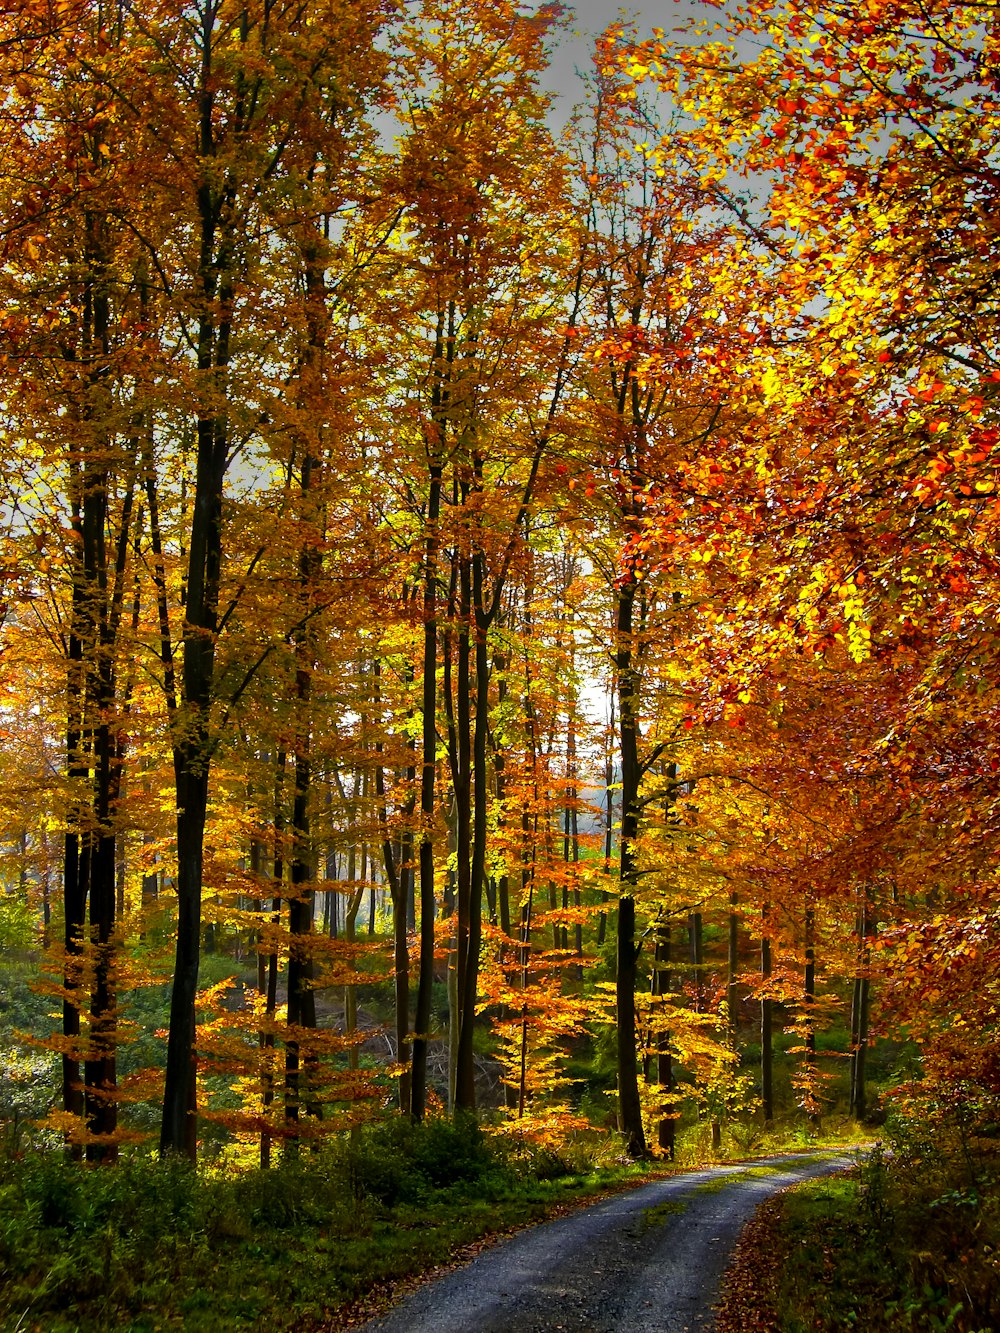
x=95, y=754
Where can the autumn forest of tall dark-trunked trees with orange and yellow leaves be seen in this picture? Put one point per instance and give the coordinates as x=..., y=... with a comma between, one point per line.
x=499, y=617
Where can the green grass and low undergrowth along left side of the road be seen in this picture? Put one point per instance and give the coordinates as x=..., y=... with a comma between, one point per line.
x=153, y=1246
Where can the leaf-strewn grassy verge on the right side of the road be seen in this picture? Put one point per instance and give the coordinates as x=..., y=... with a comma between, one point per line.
x=909, y=1243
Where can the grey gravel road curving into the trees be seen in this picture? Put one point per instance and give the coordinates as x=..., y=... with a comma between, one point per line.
x=646, y=1262
